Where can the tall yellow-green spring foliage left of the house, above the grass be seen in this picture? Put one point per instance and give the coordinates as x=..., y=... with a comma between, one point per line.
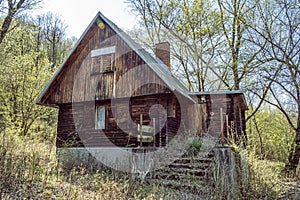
x=24, y=73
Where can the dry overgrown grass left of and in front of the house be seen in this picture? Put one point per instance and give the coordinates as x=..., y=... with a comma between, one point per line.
x=29, y=170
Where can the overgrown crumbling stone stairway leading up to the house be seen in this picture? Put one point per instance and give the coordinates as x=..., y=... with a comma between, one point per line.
x=188, y=173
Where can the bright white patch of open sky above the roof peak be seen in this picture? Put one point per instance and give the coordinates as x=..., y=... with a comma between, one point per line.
x=78, y=14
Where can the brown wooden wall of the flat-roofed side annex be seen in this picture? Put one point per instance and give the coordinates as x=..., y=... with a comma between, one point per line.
x=233, y=115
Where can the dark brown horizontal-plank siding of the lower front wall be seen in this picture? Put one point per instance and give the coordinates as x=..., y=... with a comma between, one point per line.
x=76, y=123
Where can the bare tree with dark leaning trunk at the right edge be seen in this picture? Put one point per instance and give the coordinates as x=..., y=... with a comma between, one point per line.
x=280, y=28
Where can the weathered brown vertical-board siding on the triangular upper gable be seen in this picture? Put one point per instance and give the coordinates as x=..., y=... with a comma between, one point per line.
x=78, y=81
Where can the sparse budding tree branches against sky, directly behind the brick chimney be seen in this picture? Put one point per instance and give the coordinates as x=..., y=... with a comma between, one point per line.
x=193, y=27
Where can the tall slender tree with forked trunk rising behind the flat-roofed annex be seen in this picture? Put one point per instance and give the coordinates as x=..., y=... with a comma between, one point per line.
x=238, y=55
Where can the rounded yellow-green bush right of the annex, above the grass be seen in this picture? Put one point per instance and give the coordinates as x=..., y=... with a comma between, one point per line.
x=270, y=136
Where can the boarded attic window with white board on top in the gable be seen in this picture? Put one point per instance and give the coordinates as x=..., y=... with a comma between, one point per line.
x=103, y=60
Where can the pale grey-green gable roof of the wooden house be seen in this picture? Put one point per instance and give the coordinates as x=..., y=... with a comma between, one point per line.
x=159, y=68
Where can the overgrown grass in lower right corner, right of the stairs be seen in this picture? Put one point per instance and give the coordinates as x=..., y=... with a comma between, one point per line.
x=266, y=180
